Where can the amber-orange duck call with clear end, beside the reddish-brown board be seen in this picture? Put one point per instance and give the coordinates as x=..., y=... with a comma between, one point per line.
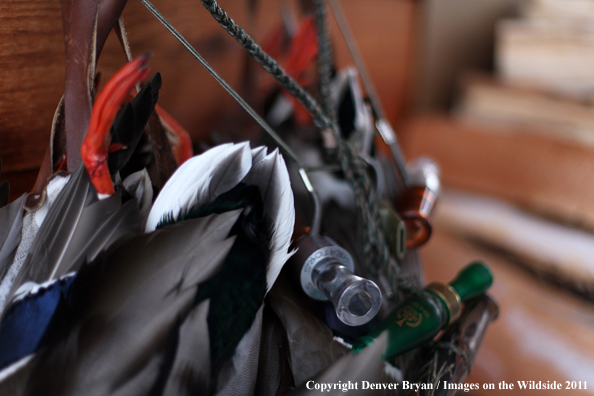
x=417, y=201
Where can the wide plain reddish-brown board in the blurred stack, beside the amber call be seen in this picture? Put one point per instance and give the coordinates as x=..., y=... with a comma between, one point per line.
x=542, y=174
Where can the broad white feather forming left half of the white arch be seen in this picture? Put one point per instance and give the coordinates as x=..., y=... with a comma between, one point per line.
x=200, y=180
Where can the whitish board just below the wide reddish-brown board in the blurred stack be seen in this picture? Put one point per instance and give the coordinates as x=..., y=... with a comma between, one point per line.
x=560, y=254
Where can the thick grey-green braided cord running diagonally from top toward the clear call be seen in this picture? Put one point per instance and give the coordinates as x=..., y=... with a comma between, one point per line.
x=374, y=246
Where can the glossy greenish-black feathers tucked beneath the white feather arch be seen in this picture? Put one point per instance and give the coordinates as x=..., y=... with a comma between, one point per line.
x=237, y=291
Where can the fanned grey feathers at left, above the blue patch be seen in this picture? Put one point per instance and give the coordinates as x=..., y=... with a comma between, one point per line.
x=77, y=227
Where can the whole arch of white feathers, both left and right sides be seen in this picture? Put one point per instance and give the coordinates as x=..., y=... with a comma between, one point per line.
x=203, y=178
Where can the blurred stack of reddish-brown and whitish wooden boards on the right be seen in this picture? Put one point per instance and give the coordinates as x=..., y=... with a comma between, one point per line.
x=517, y=162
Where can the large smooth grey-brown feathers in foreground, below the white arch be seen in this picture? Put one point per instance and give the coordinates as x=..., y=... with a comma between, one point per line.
x=126, y=309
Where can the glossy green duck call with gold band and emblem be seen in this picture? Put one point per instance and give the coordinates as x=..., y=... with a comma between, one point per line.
x=418, y=319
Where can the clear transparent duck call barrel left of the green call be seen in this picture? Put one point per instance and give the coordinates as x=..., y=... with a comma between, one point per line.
x=325, y=271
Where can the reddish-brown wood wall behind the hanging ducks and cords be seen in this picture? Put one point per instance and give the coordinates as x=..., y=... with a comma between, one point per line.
x=32, y=64
